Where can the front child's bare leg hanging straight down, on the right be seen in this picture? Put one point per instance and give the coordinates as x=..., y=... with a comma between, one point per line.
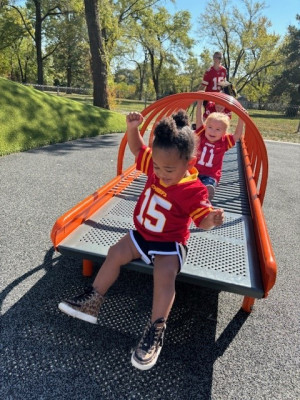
x=164, y=276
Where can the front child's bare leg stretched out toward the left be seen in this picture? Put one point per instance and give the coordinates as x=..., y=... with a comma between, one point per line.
x=119, y=254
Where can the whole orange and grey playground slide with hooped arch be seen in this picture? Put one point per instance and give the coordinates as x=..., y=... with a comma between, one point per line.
x=236, y=257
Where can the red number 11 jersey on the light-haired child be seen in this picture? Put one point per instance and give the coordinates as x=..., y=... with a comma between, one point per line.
x=210, y=155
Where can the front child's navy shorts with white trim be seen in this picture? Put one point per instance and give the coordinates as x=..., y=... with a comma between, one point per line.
x=148, y=249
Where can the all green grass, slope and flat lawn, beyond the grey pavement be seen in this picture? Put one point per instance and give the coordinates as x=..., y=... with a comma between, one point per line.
x=30, y=118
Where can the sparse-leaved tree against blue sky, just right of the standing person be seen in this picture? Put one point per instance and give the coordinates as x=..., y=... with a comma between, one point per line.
x=248, y=49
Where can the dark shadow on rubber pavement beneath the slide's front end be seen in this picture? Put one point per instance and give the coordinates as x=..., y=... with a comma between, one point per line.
x=48, y=355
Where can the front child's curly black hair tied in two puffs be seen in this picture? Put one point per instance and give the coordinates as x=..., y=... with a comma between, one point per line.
x=175, y=132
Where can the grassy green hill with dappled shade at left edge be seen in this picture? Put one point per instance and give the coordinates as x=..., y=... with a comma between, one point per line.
x=30, y=118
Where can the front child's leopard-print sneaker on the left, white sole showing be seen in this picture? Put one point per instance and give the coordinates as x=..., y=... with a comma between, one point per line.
x=86, y=306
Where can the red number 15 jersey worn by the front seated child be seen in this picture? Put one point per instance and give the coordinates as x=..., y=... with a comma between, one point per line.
x=164, y=213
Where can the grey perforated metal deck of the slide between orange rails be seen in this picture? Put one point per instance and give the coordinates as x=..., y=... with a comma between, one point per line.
x=223, y=258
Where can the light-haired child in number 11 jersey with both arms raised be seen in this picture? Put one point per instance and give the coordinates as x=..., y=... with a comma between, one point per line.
x=214, y=142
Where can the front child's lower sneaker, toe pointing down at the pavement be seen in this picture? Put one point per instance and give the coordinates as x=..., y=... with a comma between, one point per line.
x=147, y=351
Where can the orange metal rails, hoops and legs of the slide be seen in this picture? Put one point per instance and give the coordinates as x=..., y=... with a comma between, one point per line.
x=255, y=166
